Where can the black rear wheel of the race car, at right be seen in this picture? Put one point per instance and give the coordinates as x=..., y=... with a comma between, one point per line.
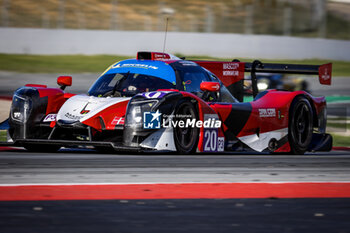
x=300, y=125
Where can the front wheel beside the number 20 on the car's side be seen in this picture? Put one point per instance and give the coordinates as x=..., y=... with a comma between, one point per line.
x=186, y=138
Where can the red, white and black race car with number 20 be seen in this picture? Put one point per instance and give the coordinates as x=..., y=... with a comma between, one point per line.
x=158, y=102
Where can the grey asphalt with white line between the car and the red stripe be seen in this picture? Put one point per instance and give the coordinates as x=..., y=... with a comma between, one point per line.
x=70, y=167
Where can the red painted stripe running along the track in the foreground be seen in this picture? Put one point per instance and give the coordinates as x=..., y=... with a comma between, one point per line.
x=174, y=191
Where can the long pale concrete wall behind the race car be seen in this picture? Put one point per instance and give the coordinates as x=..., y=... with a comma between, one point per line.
x=62, y=41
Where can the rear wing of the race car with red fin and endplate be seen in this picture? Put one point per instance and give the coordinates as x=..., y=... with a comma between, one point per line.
x=231, y=74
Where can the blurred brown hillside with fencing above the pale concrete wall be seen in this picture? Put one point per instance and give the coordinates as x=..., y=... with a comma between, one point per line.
x=306, y=18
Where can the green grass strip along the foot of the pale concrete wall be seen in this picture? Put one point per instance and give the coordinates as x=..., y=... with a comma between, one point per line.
x=98, y=63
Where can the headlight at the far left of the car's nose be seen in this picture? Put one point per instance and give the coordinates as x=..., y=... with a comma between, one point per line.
x=20, y=108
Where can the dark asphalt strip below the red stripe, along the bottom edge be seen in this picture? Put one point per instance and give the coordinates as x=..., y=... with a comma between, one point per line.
x=212, y=216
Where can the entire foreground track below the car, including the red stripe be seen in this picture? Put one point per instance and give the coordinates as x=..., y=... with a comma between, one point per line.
x=52, y=193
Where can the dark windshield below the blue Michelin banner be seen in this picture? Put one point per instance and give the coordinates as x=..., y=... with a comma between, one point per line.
x=127, y=85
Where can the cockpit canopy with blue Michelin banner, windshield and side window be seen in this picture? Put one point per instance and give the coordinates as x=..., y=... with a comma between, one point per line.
x=130, y=77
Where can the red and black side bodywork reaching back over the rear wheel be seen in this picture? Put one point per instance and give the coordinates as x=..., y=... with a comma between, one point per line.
x=268, y=113
